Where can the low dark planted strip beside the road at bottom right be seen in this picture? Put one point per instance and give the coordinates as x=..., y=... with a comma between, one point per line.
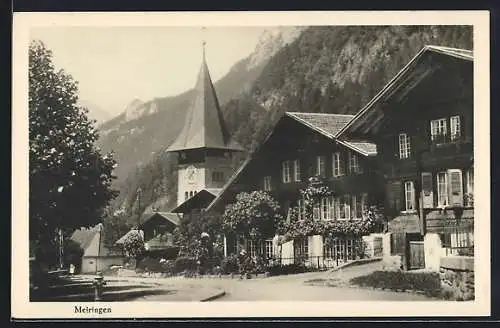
x=429, y=283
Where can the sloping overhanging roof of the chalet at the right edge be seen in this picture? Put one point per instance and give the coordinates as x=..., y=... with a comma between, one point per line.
x=363, y=115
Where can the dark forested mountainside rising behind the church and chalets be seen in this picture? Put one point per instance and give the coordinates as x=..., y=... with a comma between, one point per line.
x=330, y=69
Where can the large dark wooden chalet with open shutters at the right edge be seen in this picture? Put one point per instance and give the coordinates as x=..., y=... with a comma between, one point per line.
x=422, y=125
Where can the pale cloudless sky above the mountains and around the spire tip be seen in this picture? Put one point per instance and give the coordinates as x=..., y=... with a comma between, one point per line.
x=115, y=65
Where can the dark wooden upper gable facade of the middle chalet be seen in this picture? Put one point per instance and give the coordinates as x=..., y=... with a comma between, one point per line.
x=301, y=146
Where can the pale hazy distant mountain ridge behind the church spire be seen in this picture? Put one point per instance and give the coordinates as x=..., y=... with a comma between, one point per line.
x=147, y=127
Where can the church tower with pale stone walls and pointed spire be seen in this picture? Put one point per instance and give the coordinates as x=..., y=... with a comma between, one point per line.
x=203, y=146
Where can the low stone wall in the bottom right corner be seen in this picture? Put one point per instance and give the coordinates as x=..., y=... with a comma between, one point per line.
x=457, y=277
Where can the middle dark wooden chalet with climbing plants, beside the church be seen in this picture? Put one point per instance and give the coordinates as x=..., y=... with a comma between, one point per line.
x=302, y=146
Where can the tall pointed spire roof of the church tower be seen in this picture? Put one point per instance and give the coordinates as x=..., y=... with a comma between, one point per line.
x=204, y=124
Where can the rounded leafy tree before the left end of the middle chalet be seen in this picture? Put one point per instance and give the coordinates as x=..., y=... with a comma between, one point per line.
x=254, y=215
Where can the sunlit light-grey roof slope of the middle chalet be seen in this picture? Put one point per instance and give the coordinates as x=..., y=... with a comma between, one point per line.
x=329, y=125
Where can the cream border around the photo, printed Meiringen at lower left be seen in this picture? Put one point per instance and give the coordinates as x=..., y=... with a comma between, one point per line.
x=23, y=22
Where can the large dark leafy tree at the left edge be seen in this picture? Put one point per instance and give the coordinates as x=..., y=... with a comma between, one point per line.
x=70, y=181
